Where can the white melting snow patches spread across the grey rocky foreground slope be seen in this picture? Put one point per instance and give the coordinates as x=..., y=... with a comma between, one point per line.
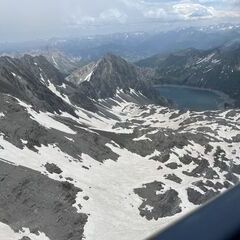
x=112, y=204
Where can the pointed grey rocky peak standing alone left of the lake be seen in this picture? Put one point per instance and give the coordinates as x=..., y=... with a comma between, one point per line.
x=104, y=78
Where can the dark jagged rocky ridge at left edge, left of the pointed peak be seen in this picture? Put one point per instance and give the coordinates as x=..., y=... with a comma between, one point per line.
x=28, y=79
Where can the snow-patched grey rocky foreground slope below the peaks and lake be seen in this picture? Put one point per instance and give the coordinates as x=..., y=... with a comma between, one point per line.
x=120, y=169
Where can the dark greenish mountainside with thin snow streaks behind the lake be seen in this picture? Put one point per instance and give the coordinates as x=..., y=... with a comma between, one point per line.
x=217, y=69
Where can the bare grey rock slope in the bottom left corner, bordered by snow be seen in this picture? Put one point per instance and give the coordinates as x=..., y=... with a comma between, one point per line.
x=39, y=203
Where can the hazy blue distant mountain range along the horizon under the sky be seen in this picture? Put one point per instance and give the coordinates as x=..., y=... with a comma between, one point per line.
x=131, y=46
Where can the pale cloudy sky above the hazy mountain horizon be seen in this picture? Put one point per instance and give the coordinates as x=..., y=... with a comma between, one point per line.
x=44, y=19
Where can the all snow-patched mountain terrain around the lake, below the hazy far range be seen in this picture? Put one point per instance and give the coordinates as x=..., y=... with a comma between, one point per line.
x=96, y=153
